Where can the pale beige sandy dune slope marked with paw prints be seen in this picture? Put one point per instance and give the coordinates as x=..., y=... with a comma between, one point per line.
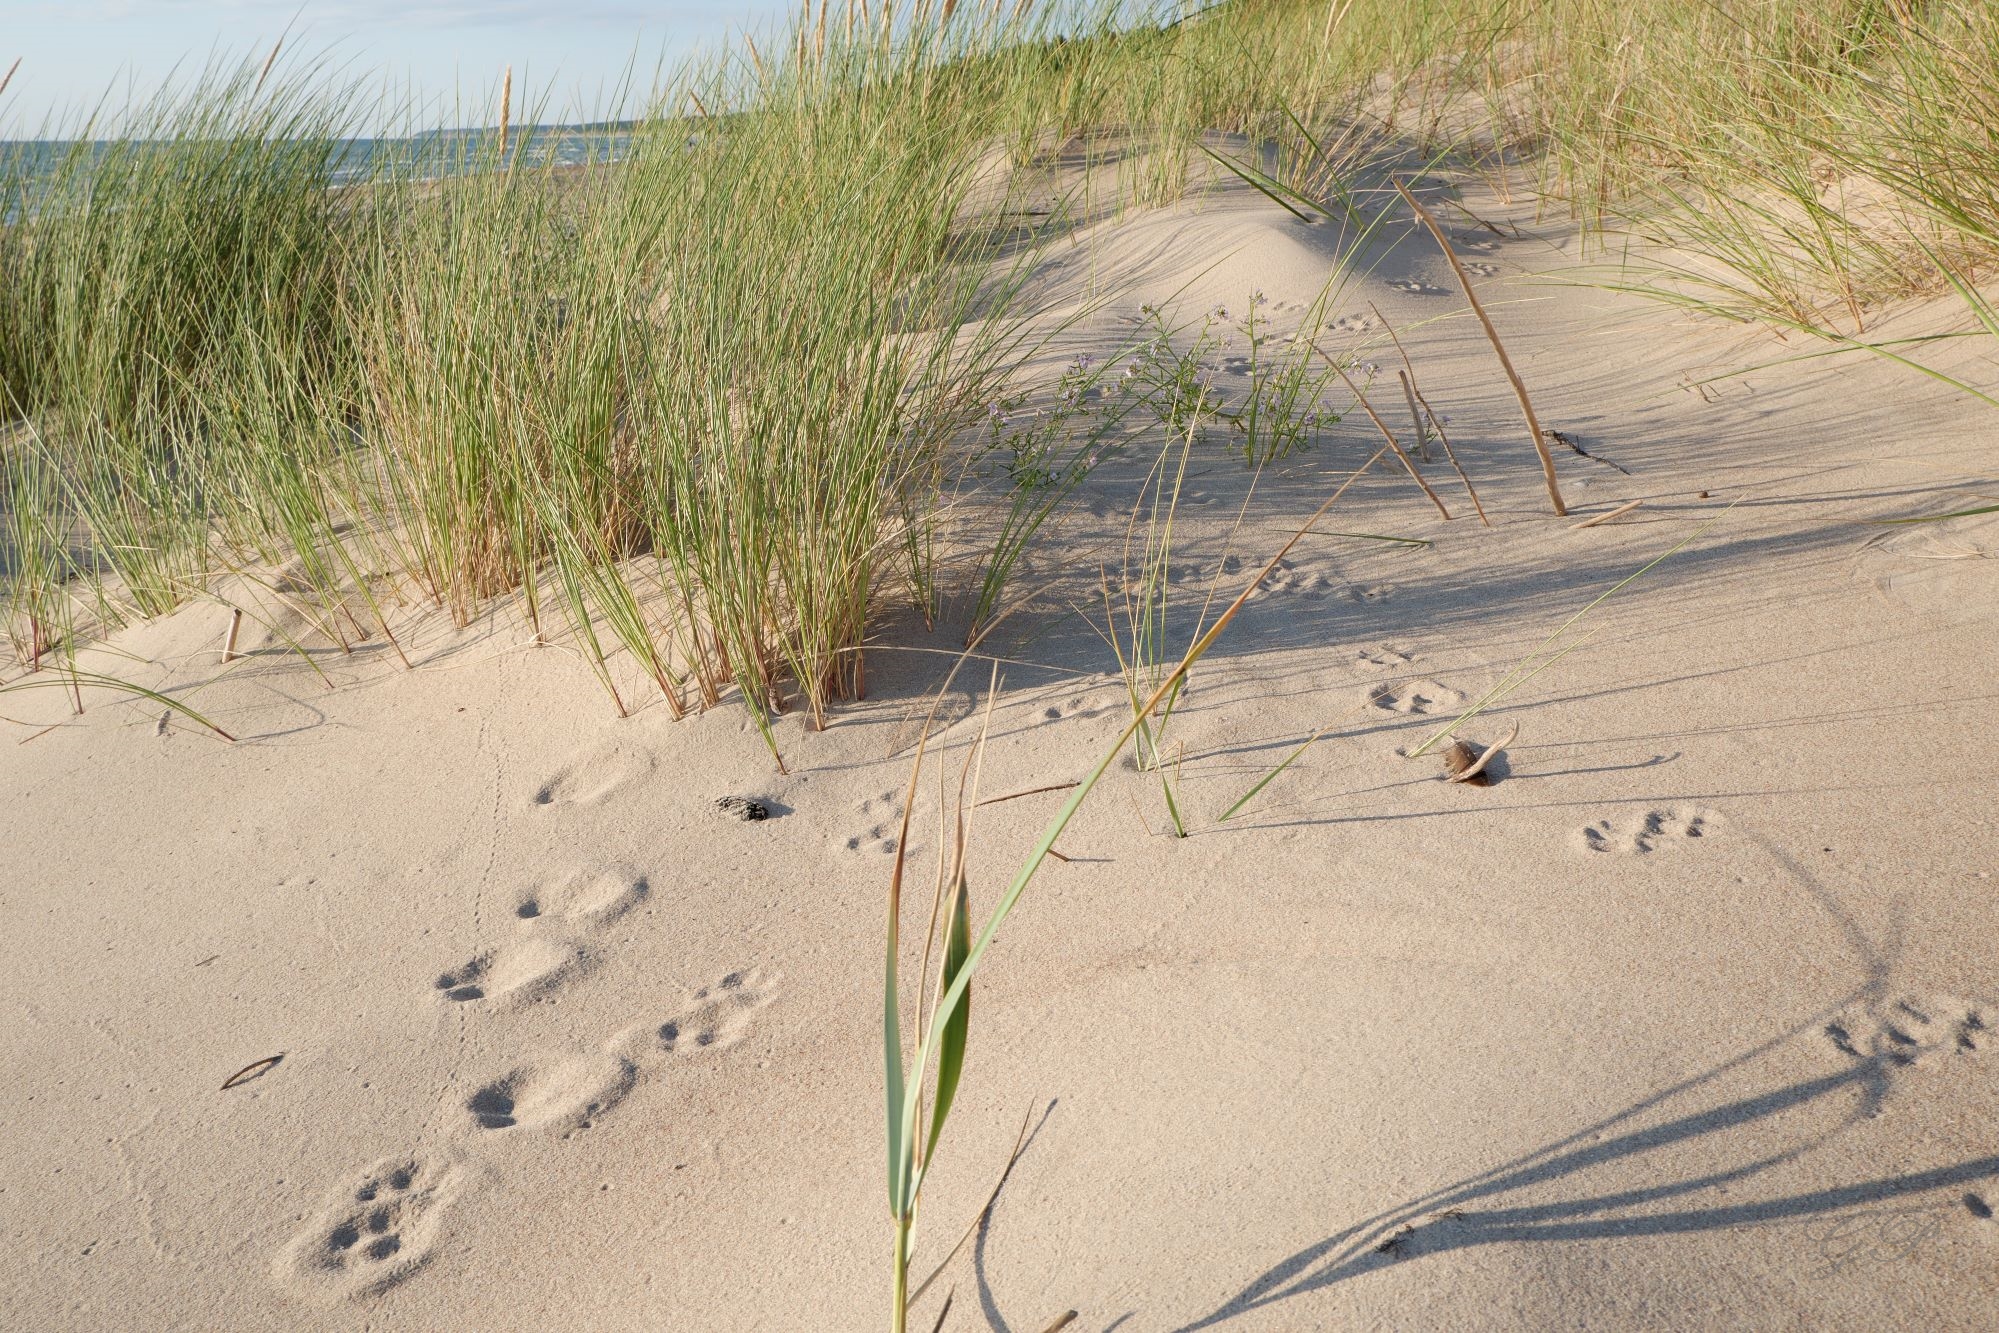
x=1688, y=1022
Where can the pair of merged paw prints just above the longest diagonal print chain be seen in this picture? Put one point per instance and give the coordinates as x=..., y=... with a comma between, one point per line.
x=555, y=940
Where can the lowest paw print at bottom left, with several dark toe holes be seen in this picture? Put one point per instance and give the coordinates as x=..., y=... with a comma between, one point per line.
x=377, y=1232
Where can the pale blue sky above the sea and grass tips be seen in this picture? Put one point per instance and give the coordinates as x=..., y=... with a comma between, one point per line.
x=565, y=51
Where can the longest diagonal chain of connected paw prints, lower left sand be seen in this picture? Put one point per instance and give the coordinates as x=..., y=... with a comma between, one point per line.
x=385, y=1224
